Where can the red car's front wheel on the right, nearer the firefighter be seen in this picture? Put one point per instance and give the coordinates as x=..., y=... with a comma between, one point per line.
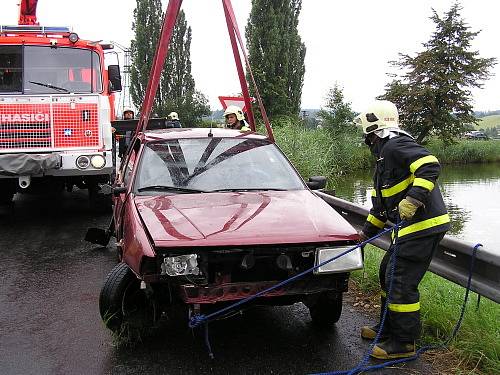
x=326, y=309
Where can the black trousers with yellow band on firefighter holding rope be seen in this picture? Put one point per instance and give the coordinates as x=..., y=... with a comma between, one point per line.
x=412, y=261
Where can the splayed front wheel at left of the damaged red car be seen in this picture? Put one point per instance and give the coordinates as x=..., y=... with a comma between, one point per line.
x=123, y=305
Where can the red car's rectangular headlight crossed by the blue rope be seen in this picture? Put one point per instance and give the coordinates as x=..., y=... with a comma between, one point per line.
x=348, y=262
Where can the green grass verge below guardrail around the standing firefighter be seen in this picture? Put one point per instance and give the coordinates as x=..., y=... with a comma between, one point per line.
x=477, y=342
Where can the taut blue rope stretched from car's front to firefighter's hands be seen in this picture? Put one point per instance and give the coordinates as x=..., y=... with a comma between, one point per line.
x=198, y=319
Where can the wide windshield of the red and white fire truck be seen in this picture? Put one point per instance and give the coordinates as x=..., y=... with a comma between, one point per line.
x=48, y=70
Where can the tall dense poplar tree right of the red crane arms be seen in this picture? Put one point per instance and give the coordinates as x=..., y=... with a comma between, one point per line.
x=277, y=54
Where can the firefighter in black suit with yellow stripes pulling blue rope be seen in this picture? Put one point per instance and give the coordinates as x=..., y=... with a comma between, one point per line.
x=405, y=188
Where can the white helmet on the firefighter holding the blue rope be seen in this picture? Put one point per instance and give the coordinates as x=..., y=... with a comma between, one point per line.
x=382, y=114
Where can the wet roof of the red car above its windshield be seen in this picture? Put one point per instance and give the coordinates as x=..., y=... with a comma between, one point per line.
x=185, y=133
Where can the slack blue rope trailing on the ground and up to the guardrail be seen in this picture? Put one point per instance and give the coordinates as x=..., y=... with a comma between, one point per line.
x=359, y=368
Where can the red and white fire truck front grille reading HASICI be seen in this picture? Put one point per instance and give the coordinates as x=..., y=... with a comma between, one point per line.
x=32, y=124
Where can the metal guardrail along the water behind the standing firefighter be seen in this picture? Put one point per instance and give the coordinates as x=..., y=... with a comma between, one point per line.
x=451, y=259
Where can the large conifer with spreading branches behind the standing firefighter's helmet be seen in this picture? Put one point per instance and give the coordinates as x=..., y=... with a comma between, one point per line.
x=432, y=89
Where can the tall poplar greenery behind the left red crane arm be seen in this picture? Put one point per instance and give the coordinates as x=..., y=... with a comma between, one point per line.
x=176, y=91
